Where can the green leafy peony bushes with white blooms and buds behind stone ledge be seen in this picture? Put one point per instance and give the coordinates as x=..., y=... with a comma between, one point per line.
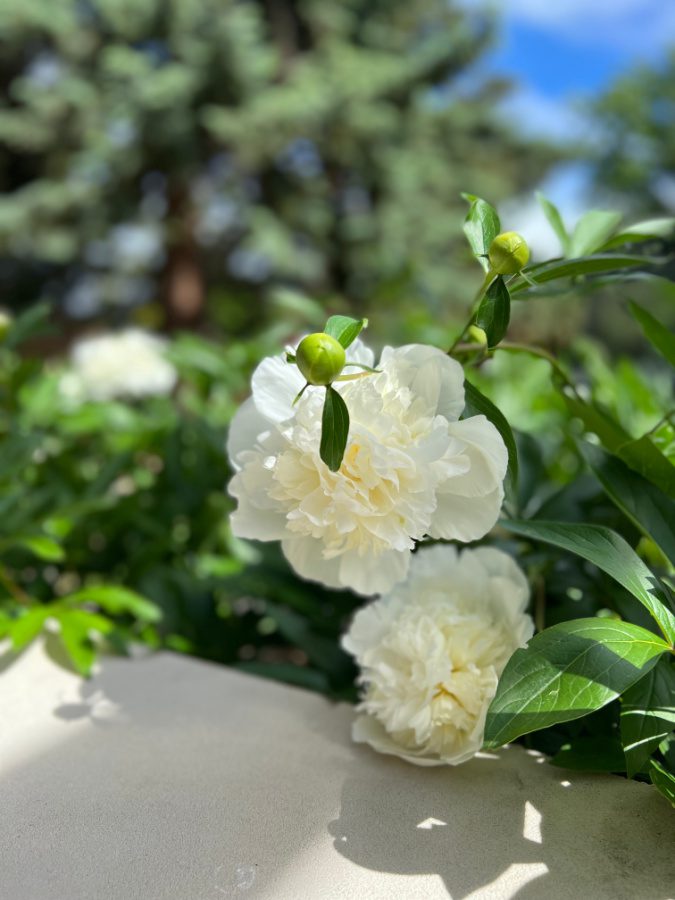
x=355, y=482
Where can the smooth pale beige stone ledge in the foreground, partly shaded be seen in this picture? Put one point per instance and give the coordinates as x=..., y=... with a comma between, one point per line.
x=171, y=778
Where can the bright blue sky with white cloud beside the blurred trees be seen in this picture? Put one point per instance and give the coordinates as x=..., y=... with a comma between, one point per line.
x=560, y=54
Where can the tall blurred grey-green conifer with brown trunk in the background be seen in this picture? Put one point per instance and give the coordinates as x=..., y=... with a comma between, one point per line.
x=185, y=149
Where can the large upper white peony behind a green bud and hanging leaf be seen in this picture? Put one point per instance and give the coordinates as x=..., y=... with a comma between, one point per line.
x=410, y=468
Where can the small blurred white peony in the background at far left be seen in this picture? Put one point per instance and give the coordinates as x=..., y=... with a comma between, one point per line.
x=128, y=363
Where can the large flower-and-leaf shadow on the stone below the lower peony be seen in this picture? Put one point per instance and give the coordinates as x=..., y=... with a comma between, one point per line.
x=506, y=824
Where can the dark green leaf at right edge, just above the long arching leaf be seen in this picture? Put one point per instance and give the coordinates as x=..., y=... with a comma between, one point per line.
x=643, y=503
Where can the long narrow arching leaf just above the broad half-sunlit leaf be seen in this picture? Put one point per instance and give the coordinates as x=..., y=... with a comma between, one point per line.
x=609, y=552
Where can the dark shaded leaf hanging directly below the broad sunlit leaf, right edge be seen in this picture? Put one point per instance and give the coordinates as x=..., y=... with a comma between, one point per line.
x=648, y=714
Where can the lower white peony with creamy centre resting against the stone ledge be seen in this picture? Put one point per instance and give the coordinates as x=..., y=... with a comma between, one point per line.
x=432, y=650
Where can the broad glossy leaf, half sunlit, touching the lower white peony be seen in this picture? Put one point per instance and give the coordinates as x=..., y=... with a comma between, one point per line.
x=566, y=672
